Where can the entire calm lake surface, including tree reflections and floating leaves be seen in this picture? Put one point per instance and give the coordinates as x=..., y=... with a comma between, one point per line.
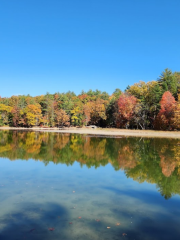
x=69, y=186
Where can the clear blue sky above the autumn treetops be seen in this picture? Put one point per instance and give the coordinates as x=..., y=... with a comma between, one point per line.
x=61, y=45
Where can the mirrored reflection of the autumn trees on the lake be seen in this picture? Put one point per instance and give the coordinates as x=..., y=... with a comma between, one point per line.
x=152, y=160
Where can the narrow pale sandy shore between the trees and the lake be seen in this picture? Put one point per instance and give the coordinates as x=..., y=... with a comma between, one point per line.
x=105, y=132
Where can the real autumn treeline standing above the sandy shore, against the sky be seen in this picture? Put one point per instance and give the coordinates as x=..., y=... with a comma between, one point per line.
x=152, y=105
